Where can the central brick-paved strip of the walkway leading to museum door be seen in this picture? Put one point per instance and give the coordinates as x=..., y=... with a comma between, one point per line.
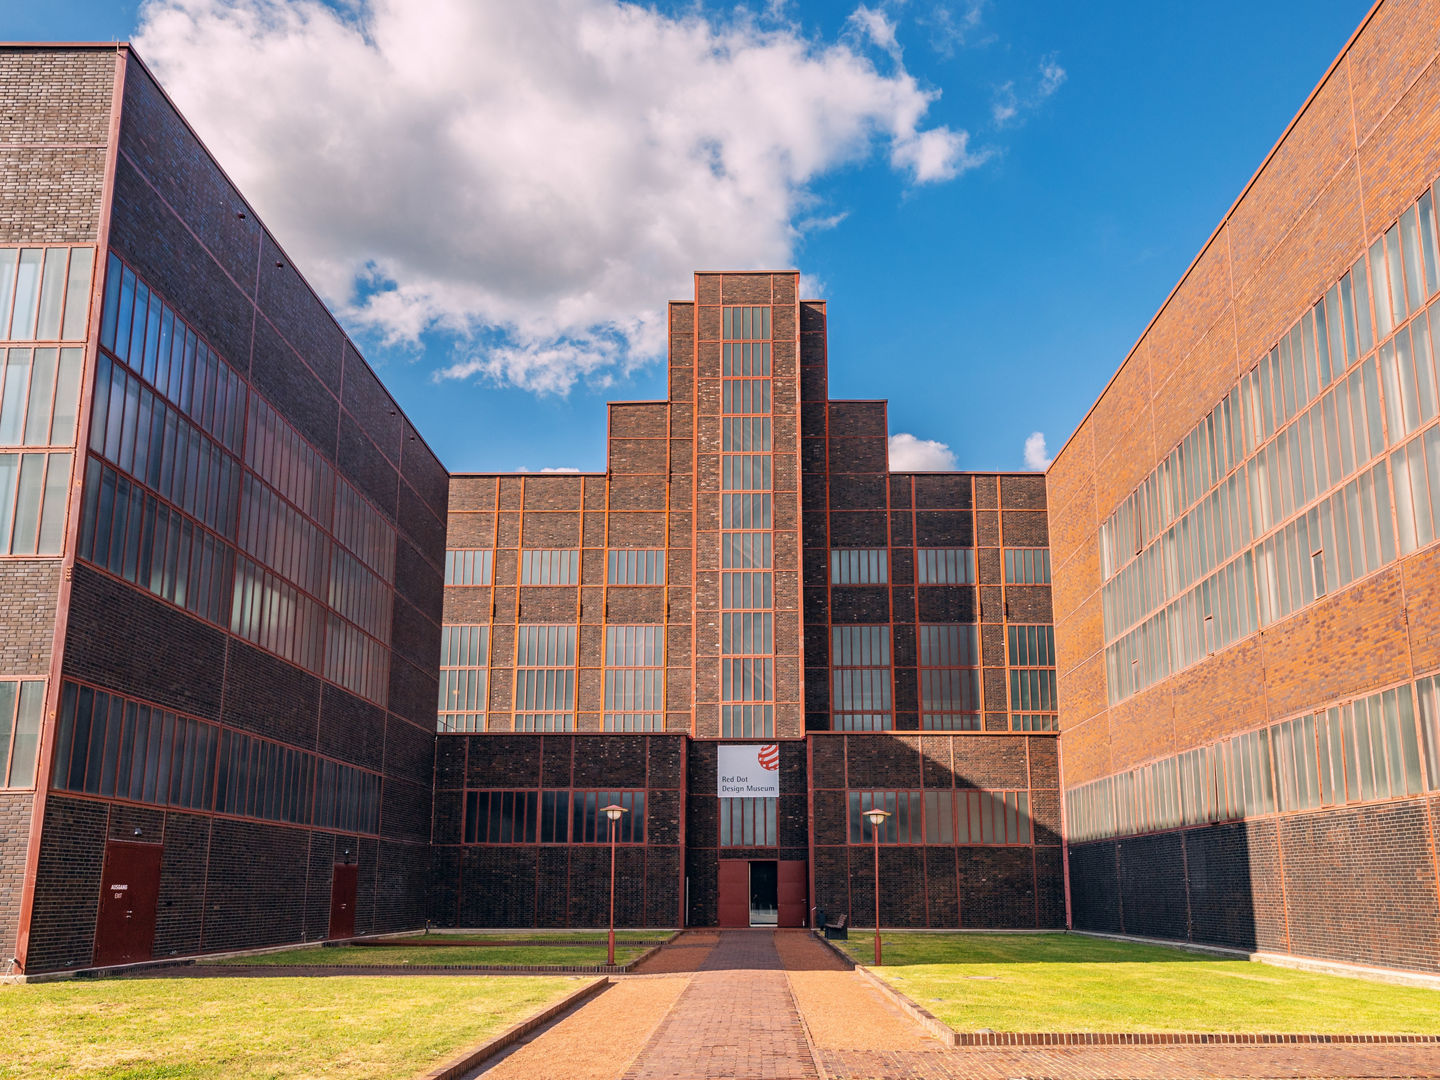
x=735, y=1022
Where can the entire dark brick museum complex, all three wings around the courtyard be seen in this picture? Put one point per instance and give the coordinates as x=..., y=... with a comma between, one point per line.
x=237, y=585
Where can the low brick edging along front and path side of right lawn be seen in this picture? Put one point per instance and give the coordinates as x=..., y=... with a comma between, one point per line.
x=1105, y=1039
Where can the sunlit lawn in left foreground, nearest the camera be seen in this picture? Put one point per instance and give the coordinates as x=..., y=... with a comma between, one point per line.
x=358, y=1029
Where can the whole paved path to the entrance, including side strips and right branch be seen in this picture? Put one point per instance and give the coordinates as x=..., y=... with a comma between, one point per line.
x=778, y=1006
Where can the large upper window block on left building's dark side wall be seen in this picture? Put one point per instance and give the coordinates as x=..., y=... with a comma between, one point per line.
x=264, y=493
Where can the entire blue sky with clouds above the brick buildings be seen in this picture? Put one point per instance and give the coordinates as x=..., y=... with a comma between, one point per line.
x=987, y=287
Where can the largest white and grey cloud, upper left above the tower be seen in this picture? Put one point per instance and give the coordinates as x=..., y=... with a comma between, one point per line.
x=534, y=178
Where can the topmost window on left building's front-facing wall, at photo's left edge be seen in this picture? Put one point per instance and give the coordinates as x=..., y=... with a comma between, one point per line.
x=45, y=293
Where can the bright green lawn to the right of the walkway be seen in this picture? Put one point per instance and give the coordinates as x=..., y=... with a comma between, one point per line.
x=1069, y=983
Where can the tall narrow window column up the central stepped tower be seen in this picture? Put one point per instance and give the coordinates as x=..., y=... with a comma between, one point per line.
x=747, y=580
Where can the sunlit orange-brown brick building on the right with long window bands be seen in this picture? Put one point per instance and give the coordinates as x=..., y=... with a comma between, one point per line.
x=1246, y=575
